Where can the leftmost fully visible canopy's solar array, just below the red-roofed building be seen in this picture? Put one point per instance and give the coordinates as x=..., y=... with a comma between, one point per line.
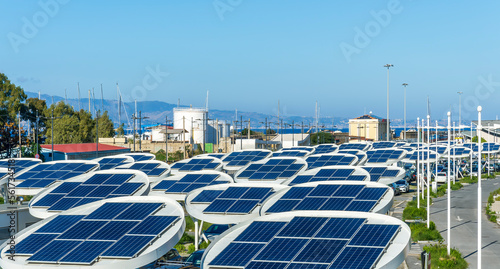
x=45, y=174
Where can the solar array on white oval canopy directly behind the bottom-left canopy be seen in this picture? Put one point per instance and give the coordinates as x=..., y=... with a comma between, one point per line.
x=97, y=187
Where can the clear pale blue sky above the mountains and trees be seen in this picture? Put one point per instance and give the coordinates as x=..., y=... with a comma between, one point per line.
x=250, y=54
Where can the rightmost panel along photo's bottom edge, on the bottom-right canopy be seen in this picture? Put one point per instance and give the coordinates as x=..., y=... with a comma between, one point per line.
x=359, y=257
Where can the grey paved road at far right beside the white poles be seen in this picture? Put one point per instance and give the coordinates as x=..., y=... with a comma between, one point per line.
x=464, y=223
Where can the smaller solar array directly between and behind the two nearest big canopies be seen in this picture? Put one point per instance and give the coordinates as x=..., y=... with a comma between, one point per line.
x=233, y=200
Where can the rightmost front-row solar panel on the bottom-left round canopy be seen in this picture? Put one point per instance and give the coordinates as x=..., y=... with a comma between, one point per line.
x=128, y=246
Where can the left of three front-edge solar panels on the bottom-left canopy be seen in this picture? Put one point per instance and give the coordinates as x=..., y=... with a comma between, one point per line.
x=54, y=251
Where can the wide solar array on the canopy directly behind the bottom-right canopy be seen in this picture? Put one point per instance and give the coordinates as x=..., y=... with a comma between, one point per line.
x=329, y=197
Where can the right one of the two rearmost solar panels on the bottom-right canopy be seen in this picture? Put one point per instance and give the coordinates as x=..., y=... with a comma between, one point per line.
x=341, y=228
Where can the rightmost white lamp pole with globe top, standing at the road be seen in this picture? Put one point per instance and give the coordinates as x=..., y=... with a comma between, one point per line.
x=479, y=170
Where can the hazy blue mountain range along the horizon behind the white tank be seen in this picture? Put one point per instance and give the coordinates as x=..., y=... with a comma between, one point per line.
x=157, y=110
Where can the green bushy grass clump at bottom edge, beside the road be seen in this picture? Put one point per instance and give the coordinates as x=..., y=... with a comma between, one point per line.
x=440, y=258
